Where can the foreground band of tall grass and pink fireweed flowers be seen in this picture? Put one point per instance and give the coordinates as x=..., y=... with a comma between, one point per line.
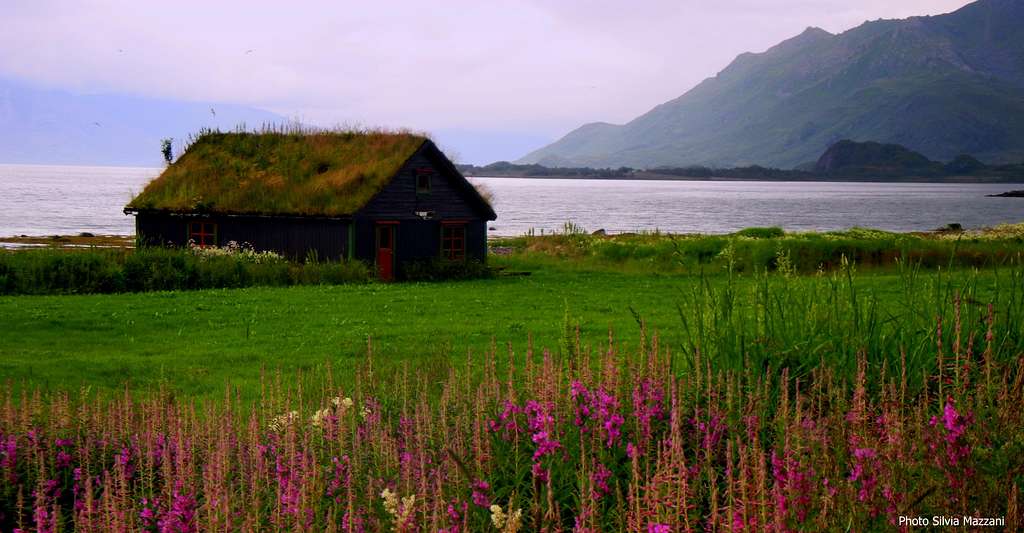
x=718, y=435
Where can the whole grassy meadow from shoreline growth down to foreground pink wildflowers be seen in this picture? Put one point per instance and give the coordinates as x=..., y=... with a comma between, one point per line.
x=755, y=382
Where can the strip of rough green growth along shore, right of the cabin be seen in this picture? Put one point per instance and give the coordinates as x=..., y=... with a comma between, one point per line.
x=757, y=250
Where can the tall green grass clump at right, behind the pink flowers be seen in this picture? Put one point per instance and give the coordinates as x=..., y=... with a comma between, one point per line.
x=830, y=317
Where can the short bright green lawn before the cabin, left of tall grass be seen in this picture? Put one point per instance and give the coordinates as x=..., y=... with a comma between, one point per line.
x=200, y=340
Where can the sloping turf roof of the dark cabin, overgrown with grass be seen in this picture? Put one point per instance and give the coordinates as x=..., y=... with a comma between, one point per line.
x=289, y=173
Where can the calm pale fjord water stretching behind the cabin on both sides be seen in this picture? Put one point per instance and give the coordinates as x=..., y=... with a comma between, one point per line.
x=48, y=201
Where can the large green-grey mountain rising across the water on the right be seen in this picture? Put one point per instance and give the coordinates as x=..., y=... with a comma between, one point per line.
x=940, y=85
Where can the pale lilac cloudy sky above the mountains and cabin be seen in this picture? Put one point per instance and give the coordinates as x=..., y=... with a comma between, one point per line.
x=533, y=69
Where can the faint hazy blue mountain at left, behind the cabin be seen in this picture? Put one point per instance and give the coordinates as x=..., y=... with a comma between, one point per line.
x=53, y=127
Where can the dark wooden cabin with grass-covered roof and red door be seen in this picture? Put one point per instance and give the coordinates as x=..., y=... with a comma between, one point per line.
x=387, y=199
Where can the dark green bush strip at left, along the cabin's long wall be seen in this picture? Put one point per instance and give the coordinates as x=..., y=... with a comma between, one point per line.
x=83, y=272
